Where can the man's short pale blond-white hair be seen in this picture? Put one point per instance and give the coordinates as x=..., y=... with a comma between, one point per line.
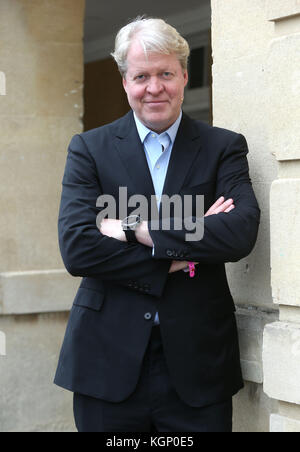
x=154, y=35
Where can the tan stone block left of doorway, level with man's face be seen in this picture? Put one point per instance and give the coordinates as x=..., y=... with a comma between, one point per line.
x=44, y=79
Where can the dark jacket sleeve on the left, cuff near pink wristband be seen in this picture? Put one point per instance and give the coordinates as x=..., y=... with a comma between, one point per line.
x=85, y=251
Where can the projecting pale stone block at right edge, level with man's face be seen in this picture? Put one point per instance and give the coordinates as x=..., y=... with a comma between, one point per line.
x=283, y=73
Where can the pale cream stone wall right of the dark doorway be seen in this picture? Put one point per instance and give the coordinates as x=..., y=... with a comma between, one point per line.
x=255, y=87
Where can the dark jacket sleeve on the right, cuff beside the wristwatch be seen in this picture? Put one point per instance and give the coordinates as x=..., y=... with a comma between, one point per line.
x=228, y=237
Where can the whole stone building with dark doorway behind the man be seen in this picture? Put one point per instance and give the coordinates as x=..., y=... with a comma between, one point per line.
x=49, y=66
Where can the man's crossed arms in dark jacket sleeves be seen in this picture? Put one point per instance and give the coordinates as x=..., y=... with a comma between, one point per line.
x=230, y=230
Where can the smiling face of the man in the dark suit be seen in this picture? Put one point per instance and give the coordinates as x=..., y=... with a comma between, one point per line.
x=155, y=87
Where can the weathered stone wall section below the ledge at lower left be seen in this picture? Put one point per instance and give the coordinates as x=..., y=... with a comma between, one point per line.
x=29, y=400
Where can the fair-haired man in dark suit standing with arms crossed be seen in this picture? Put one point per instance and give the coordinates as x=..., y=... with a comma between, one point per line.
x=148, y=347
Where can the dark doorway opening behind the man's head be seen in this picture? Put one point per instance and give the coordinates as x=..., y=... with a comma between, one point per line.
x=104, y=96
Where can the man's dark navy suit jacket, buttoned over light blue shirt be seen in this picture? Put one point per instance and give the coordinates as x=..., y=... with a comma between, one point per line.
x=123, y=285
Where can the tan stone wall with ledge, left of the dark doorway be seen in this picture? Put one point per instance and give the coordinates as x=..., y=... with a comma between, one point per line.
x=41, y=81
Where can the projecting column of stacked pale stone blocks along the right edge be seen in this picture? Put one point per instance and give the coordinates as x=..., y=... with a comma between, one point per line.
x=281, y=354
